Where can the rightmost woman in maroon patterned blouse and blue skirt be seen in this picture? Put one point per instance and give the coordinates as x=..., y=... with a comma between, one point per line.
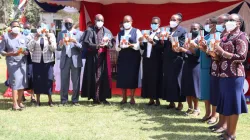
x=233, y=52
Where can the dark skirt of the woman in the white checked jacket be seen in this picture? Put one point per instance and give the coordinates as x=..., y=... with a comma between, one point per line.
x=43, y=78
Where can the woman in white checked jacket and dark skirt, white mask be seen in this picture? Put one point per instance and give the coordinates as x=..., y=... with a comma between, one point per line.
x=42, y=47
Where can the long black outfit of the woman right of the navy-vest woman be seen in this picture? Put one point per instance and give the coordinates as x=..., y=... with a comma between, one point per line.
x=152, y=70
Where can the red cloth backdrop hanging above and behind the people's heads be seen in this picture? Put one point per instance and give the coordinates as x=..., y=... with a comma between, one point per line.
x=143, y=13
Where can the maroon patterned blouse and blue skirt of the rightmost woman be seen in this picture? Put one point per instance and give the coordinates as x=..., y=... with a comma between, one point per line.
x=232, y=74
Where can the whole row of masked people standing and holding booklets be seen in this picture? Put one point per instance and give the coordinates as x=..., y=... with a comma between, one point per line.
x=176, y=67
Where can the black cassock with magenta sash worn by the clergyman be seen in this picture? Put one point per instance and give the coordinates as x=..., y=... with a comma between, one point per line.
x=96, y=83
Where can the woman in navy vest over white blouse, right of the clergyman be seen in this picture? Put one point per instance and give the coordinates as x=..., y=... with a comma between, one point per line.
x=127, y=43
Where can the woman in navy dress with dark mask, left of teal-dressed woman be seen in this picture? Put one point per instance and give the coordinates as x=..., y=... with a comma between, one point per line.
x=190, y=86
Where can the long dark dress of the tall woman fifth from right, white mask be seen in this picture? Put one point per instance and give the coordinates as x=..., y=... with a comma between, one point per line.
x=172, y=69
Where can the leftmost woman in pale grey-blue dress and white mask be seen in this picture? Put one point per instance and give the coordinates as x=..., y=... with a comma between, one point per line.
x=13, y=48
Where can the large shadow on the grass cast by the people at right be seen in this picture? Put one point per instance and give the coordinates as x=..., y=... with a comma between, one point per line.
x=173, y=122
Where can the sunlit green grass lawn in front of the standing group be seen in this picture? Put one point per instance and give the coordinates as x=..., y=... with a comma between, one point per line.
x=99, y=122
